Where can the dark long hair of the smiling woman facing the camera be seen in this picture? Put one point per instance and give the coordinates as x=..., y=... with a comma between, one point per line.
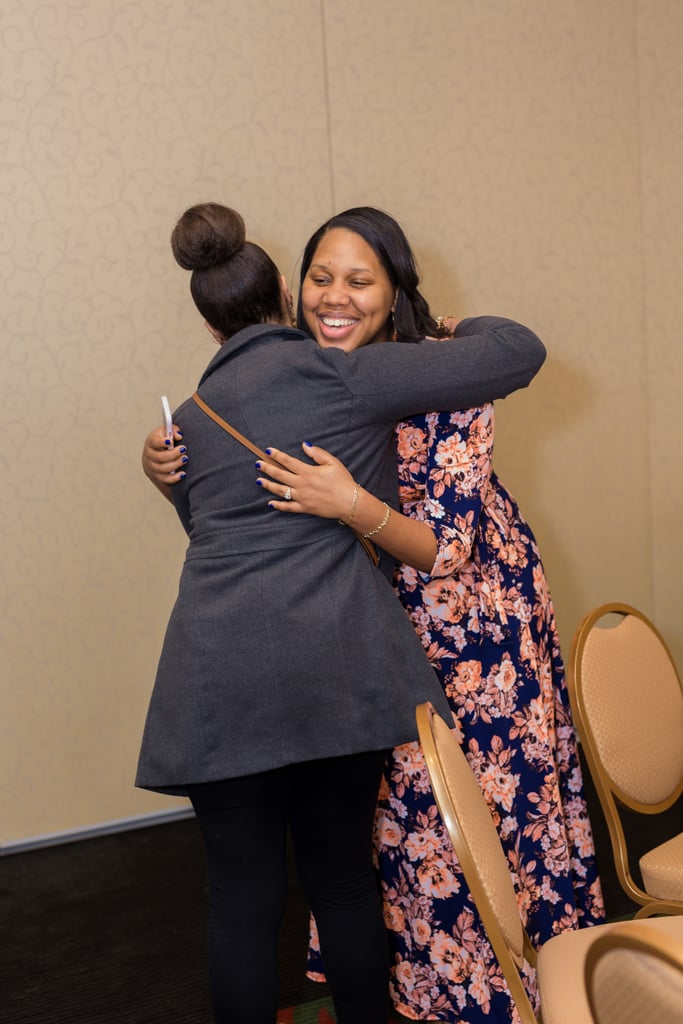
x=412, y=319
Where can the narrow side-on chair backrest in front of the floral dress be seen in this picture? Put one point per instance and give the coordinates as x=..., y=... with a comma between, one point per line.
x=478, y=846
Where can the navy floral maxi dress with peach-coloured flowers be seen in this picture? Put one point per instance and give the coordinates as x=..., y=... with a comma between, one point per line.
x=487, y=622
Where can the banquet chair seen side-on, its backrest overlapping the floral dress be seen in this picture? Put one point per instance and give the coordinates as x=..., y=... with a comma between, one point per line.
x=560, y=964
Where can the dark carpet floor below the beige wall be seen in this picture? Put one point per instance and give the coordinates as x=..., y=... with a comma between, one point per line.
x=112, y=930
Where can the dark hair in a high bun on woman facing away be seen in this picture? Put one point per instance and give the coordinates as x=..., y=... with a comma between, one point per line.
x=235, y=283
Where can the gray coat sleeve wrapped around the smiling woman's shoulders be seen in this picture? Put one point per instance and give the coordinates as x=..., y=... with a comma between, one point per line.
x=489, y=359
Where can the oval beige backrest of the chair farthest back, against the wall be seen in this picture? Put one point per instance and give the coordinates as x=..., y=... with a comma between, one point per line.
x=628, y=707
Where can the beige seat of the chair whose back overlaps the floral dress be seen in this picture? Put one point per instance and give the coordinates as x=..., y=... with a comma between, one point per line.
x=561, y=971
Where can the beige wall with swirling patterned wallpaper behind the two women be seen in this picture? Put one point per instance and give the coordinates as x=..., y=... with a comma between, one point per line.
x=531, y=149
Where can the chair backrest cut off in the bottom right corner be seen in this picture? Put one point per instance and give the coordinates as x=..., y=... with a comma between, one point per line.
x=634, y=974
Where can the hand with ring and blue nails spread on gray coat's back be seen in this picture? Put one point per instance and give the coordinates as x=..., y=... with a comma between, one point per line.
x=326, y=490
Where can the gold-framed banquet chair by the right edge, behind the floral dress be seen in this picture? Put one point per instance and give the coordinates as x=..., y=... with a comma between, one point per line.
x=628, y=709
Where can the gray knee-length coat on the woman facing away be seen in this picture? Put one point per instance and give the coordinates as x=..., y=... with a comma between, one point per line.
x=286, y=645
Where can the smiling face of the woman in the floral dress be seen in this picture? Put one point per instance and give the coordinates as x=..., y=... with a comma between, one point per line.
x=347, y=295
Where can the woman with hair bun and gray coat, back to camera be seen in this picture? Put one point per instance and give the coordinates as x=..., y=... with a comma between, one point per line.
x=289, y=667
